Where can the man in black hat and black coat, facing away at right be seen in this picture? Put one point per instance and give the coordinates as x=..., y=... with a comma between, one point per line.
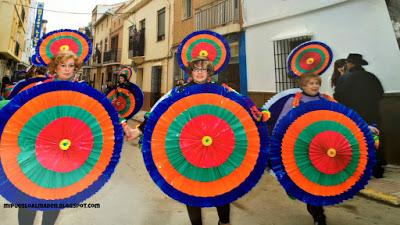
x=361, y=91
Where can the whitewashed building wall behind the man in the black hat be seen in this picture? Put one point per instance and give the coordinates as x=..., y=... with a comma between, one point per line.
x=359, y=26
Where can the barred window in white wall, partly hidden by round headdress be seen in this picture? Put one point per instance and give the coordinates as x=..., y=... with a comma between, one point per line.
x=282, y=49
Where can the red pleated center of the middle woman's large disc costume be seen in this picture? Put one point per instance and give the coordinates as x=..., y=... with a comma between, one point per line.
x=200, y=155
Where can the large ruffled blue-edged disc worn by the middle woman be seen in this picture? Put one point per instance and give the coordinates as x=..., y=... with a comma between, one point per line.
x=202, y=146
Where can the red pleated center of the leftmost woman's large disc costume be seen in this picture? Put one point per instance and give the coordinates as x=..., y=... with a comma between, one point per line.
x=48, y=151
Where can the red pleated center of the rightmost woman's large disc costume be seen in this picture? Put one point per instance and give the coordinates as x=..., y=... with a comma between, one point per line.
x=318, y=152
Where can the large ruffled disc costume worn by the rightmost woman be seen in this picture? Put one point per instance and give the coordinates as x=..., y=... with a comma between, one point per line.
x=322, y=152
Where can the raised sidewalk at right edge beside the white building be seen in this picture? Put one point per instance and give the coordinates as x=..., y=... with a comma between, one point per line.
x=386, y=189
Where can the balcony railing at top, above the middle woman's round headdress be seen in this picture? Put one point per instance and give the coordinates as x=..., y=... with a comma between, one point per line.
x=223, y=13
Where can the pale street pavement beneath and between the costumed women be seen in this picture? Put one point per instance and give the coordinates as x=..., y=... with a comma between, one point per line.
x=132, y=198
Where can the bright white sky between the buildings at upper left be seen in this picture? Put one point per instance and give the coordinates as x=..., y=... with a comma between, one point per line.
x=58, y=20
